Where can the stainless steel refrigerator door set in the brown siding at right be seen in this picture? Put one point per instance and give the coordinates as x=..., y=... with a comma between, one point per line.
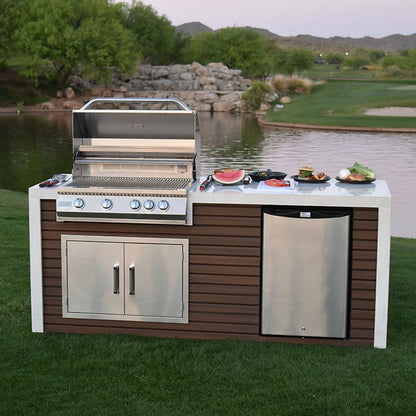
x=305, y=275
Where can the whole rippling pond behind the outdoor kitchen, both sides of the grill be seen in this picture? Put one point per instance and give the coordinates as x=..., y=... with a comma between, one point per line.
x=35, y=146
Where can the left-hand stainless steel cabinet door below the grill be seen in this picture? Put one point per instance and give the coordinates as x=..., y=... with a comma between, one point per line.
x=95, y=282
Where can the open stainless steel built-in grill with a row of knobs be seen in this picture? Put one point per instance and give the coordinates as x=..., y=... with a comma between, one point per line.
x=134, y=161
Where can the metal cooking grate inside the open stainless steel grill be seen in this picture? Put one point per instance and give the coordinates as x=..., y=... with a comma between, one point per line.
x=137, y=183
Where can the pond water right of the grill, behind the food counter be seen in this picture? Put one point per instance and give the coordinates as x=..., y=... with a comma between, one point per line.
x=239, y=142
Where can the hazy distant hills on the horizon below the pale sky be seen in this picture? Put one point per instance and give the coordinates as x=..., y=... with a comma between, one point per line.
x=391, y=43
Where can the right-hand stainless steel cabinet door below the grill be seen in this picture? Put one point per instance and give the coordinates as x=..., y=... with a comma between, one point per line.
x=154, y=286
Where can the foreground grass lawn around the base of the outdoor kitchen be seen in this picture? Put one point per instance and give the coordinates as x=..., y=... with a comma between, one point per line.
x=65, y=374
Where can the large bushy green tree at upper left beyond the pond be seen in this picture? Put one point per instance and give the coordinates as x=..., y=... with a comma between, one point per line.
x=61, y=37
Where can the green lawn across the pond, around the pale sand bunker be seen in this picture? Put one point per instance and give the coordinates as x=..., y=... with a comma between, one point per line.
x=343, y=102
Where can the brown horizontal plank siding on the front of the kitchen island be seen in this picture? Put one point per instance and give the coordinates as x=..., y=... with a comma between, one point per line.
x=224, y=275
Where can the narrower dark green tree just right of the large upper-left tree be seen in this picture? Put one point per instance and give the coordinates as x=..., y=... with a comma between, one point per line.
x=156, y=38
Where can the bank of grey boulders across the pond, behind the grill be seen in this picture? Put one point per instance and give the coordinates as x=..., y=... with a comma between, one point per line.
x=213, y=87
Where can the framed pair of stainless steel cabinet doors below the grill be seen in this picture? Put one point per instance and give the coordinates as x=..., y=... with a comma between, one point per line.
x=141, y=279
